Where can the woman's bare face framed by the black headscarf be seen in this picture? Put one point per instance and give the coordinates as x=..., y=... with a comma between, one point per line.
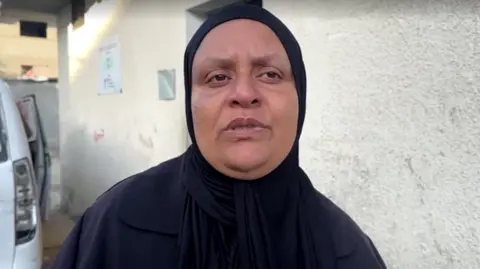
x=244, y=101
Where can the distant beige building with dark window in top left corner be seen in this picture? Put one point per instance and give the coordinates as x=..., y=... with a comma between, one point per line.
x=28, y=45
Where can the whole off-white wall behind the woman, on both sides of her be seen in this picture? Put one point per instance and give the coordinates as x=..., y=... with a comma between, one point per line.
x=391, y=134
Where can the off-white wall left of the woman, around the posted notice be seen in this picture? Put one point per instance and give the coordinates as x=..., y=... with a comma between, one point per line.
x=109, y=137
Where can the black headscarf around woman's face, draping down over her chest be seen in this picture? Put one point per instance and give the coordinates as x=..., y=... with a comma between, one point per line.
x=230, y=223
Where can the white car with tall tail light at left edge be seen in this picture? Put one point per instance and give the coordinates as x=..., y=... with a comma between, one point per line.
x=20, y=224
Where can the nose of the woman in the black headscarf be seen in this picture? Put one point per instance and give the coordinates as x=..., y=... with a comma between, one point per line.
x=244, y=94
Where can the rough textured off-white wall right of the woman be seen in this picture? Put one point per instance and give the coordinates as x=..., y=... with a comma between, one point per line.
x=393, y=125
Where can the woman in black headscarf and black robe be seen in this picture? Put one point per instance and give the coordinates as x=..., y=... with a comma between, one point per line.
x=237, y=197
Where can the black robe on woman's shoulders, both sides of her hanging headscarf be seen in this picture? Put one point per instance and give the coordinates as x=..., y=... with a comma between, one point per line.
x=135, y=225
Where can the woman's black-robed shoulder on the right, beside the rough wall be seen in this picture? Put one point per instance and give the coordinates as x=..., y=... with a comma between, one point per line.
x=349, y=240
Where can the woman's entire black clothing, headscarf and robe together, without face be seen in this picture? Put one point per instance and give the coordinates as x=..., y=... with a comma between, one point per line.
x=185, y=214
